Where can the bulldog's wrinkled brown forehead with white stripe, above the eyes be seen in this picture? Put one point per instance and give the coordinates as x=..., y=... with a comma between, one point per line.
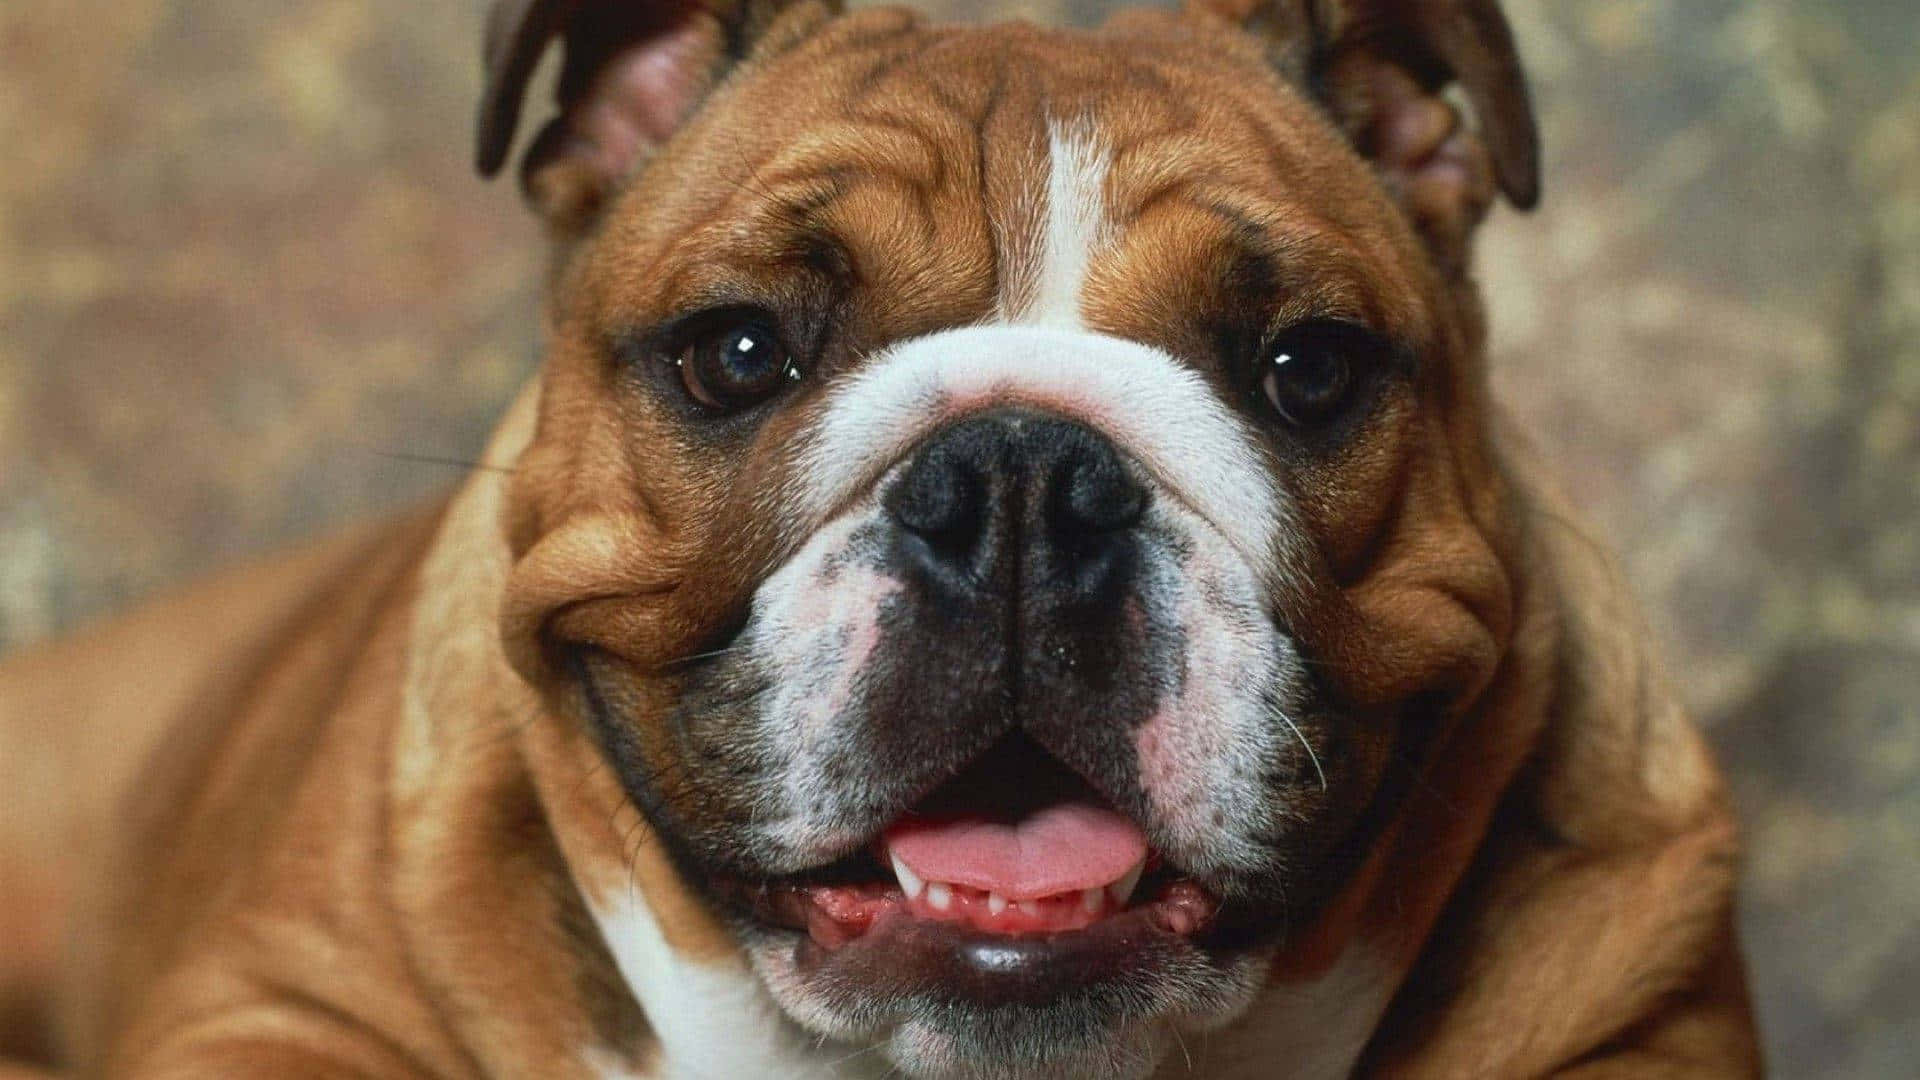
x=1138, y=184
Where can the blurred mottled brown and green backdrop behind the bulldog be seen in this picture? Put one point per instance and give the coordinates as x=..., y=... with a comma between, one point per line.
x=251, y=289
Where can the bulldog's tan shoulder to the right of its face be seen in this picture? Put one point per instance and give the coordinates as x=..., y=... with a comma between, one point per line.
x=1608, y=873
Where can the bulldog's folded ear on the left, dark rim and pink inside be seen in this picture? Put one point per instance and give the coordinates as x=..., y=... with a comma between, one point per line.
x=635, y=72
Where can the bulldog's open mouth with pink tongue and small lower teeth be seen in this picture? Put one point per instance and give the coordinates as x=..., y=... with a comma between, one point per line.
x=1017, y=856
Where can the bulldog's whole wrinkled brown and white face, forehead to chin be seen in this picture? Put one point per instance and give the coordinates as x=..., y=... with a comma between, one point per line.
x=1011, y=506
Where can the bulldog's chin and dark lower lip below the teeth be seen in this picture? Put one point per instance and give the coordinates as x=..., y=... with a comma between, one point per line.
x=944, y=1002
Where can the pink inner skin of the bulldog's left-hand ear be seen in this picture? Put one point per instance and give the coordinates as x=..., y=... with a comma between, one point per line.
x=646, y=93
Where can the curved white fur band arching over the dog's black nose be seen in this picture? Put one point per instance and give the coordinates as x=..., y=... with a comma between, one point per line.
x=1151, y=406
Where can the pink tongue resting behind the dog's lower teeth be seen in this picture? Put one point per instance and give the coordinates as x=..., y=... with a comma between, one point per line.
x=1063, y=848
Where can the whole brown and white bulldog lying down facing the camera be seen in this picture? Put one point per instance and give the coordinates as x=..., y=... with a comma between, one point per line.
x=1009, y=570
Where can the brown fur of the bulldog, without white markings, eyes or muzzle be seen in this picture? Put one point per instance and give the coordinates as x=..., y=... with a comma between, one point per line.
x=368, y=820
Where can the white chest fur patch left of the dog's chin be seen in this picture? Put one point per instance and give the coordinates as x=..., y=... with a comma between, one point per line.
x=713, y=1021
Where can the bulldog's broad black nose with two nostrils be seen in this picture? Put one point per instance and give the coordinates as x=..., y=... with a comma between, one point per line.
x=1020, y=503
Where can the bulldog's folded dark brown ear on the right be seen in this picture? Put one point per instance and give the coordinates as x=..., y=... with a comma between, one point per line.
x=1381, y=70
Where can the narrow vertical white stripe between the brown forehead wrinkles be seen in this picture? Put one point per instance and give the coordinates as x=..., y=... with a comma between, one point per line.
x=1072, y=230
